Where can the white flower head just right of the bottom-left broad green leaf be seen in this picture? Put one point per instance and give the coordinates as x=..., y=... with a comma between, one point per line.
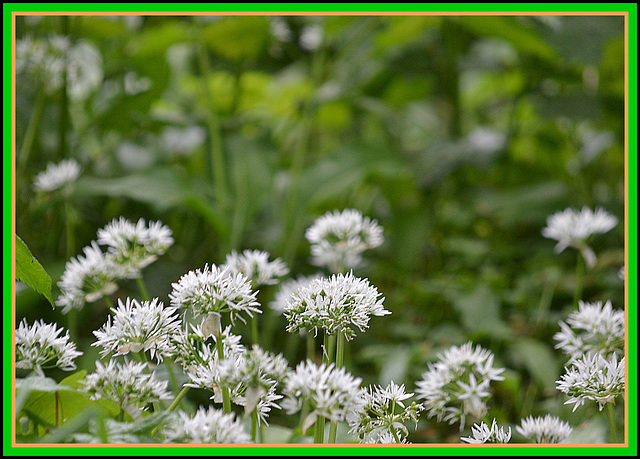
x=127, y=384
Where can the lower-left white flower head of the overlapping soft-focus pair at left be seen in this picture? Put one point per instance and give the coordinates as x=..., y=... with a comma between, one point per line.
x=87, y=279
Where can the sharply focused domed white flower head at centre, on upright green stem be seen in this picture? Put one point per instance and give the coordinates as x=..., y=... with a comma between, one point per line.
x=337, y=304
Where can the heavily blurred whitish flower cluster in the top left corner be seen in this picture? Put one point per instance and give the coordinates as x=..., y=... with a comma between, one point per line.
x=49, y=61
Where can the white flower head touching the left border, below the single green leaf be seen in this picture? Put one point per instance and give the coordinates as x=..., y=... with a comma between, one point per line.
x=42, y=346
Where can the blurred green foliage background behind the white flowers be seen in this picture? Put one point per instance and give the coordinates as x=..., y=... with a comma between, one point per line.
x=460, y=135
